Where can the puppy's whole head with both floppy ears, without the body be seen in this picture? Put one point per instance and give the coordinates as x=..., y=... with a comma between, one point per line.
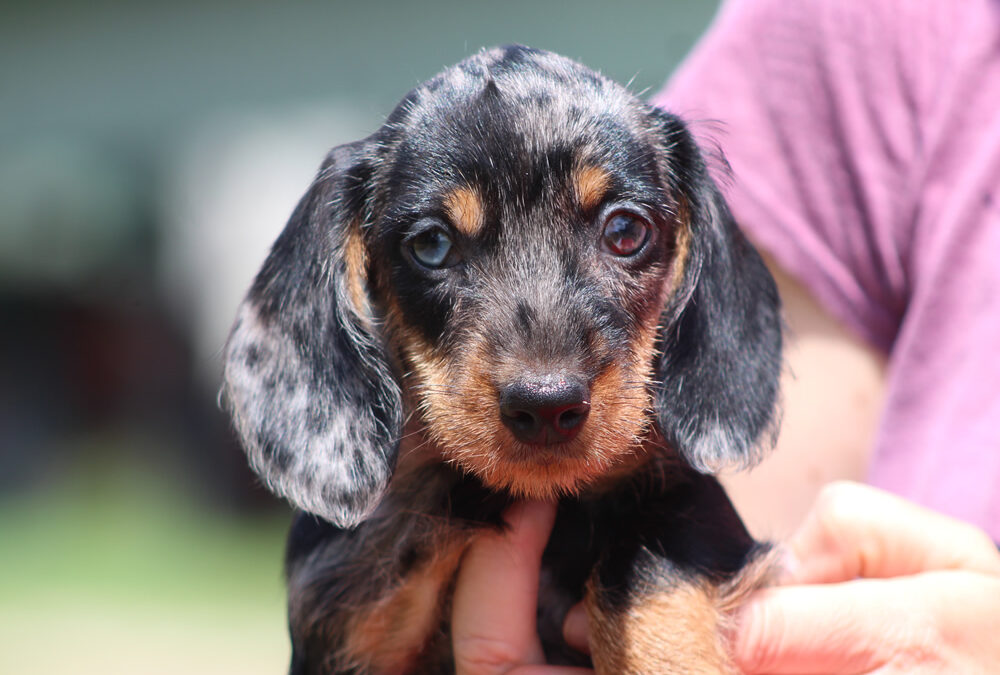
x=533, y=264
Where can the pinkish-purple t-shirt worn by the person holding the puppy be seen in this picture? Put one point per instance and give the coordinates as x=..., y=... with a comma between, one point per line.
x=864, y=140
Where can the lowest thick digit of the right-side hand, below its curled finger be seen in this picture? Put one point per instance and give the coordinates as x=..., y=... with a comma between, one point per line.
x=929, y=623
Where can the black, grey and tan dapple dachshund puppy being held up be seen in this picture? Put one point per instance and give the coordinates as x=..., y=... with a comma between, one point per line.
x=525, y=284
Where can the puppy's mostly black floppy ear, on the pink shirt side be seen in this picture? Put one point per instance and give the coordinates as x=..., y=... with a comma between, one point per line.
x=721, y=341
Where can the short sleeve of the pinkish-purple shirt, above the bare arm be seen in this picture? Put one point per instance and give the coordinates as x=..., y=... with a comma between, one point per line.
x=820, y=169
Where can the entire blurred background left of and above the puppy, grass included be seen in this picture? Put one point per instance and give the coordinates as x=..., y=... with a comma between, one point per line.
x=149, y=153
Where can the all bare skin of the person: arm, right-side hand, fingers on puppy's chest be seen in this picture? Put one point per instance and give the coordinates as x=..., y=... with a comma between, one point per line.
x=873, y=584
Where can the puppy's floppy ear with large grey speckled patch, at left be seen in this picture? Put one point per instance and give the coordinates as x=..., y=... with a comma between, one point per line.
x=306, y=377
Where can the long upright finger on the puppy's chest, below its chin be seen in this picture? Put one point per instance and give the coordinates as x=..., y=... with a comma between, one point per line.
x=496, y=598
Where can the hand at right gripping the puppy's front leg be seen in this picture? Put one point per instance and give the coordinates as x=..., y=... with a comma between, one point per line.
x=880, y=586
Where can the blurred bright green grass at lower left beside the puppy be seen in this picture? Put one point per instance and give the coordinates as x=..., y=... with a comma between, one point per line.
x=115, y=571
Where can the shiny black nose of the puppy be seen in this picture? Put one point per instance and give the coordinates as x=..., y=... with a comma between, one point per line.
x=545, y=410
